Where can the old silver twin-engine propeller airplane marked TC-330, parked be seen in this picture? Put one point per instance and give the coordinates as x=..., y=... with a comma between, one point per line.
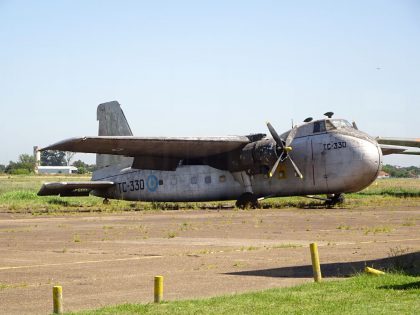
x=327, y=156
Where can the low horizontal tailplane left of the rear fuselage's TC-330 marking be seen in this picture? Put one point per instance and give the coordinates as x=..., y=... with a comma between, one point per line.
x=71, y=189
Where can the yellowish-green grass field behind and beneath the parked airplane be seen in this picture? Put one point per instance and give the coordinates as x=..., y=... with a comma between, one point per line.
x=18, y=194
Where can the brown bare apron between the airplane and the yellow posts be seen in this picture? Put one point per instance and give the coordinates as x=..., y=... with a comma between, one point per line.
x=102, y=259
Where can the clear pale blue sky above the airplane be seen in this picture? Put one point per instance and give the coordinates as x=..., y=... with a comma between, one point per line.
x=206, y=68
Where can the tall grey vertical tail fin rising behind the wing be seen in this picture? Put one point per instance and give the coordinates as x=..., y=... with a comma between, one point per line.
x=112, y=122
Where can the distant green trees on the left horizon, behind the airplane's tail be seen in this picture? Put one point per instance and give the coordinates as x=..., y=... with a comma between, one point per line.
x=26, y=163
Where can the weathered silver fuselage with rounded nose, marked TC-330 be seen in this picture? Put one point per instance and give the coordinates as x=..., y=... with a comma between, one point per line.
x=336, y=161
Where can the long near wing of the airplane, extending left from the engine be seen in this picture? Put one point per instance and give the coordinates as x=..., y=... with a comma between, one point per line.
x=167, y=147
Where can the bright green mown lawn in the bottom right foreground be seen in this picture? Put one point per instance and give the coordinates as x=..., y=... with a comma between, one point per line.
x=362, y=294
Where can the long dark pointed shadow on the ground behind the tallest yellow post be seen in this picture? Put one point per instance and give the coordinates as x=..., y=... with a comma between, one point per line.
x=407, y=263
